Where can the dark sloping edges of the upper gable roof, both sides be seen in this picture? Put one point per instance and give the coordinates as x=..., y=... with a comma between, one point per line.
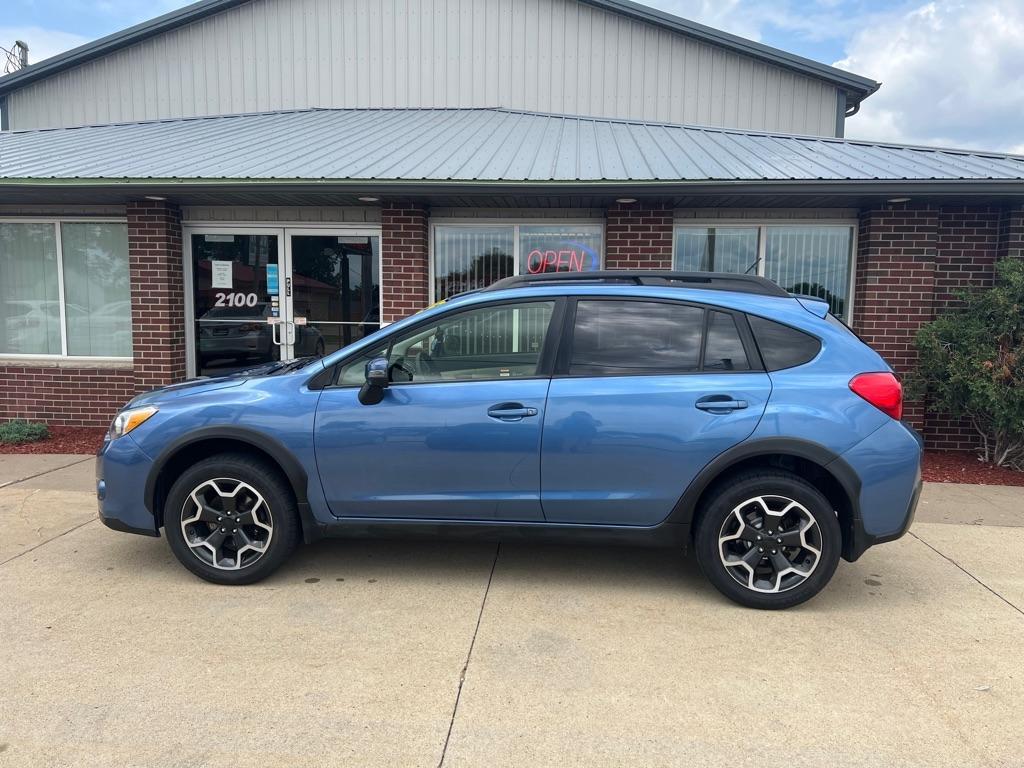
x=860, y=88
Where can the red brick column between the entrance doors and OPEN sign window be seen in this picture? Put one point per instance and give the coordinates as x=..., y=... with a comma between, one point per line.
x=405, y=271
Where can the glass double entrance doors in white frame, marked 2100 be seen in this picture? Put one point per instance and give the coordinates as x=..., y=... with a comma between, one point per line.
x=262, y=295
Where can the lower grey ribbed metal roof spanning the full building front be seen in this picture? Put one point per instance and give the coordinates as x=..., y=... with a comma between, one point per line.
x=459, y=147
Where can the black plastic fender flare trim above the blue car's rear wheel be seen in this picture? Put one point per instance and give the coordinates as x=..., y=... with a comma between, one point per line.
x=829, y=460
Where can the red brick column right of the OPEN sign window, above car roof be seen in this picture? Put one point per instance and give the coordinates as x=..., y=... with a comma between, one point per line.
x=638, y=236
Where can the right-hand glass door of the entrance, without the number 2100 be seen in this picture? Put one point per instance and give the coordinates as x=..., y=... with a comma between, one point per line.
x=335, y=290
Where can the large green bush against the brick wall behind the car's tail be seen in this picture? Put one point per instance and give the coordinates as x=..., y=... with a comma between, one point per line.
x=972, y=364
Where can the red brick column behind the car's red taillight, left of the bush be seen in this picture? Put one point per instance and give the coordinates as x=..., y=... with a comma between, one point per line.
x=895, y=285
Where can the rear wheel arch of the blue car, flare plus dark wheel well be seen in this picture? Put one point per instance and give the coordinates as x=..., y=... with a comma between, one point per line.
x=817, y=464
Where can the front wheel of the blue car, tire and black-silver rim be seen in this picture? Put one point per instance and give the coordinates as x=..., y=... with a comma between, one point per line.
x=232, y=520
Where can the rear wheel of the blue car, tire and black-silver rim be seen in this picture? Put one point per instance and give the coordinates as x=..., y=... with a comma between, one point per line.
x=769, y=539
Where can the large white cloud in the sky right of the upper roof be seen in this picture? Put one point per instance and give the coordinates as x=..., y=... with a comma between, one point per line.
x=952, y=72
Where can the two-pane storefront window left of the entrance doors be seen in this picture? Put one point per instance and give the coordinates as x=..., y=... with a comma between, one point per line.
x=92, y=272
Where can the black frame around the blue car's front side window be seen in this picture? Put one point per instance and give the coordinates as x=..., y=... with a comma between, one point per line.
x=546, y=362
